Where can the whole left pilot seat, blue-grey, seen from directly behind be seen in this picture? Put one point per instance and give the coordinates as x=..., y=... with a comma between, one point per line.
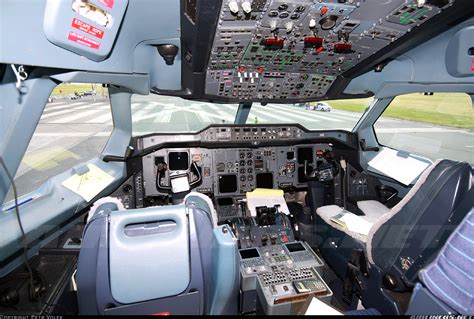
x=158, y=260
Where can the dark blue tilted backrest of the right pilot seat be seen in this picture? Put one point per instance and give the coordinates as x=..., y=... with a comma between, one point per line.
x=429, y=211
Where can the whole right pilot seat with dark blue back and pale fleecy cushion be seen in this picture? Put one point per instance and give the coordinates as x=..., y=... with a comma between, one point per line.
x=402, y=239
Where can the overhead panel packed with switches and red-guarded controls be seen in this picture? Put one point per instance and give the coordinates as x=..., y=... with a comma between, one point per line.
x=289, y=50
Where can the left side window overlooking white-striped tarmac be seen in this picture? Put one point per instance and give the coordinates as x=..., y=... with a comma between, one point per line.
x=74, y=128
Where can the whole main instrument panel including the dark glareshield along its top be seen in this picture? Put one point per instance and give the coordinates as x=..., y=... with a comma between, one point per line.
x=226, y=161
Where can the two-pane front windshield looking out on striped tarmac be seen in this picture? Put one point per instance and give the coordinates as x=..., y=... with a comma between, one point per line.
x=164, y=114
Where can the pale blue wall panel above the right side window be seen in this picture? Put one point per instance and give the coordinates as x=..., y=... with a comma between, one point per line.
x=441, y=64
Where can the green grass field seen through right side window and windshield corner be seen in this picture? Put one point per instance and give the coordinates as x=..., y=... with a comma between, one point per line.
x=454, y=109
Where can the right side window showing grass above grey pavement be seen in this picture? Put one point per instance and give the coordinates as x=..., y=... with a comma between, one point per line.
x=432, y=125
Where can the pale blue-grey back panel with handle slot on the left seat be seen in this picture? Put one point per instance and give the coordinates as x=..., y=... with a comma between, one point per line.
x=157, y=265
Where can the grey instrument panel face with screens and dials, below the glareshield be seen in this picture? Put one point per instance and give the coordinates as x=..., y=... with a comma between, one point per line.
x=234, y=171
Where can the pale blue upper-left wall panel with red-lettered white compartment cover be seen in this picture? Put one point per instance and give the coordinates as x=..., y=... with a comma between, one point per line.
x=146, y=23
